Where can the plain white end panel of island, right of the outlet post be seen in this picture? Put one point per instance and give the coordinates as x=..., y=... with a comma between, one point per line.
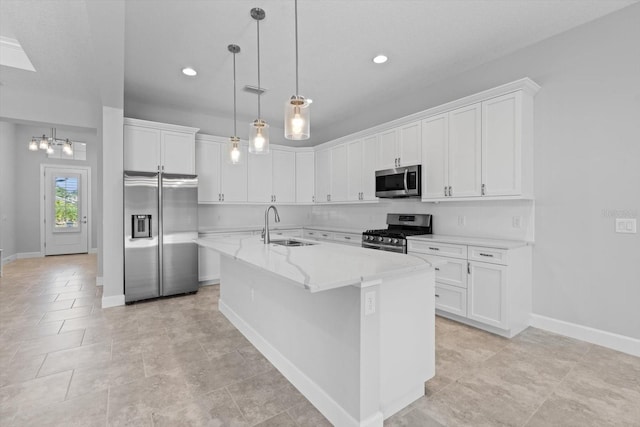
x=407, y=339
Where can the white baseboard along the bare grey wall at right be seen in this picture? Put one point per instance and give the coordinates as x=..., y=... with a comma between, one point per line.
x=610, y=340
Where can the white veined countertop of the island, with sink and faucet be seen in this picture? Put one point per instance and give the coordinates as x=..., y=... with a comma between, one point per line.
x=318, y=267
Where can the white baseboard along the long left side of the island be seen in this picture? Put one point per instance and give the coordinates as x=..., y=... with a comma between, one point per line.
x=314, y=393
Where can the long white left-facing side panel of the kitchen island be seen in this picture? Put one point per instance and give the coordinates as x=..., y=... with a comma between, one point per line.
x=317, y=333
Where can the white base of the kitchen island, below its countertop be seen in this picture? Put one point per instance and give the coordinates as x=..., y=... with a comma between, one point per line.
x=358, y=353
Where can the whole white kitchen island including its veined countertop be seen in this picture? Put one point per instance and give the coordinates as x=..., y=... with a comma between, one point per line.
x=351, y=328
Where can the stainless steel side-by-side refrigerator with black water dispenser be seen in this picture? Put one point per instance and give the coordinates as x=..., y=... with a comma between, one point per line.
x=160, y=225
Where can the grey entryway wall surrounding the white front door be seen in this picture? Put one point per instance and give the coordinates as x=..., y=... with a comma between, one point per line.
x=26, y=179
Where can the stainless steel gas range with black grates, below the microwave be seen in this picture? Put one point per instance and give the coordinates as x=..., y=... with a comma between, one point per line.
x=394, y=237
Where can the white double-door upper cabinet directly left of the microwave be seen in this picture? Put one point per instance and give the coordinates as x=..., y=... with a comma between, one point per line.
x=362, y=161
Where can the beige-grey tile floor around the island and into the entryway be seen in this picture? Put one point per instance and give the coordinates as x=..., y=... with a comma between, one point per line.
x=65, y=361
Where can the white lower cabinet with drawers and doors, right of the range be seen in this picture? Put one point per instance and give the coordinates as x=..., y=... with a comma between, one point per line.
x=486, y=287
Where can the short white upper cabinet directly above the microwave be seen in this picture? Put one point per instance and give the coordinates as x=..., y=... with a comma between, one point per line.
x=401, y=146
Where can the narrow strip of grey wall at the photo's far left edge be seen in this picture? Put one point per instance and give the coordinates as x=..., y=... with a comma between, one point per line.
x=8, y=148
